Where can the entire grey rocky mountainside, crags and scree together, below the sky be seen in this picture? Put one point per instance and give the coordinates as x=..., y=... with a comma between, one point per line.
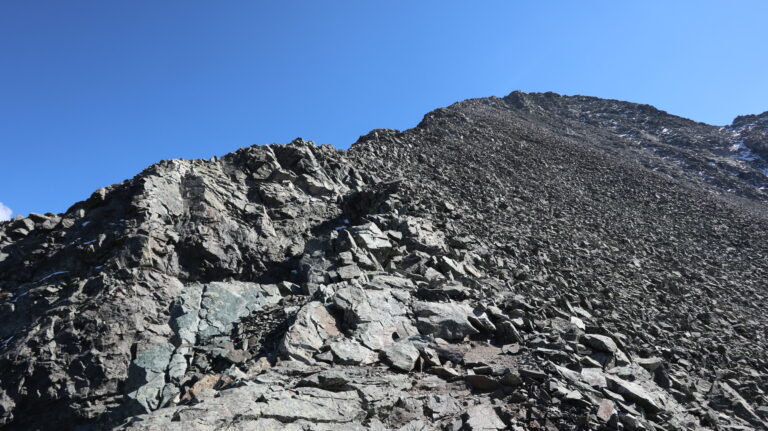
x=532, y=262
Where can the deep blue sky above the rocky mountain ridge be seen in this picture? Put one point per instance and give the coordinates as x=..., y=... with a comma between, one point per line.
x=91, y=92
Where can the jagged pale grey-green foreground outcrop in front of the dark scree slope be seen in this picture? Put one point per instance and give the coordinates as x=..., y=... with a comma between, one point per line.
x=378, y=319
